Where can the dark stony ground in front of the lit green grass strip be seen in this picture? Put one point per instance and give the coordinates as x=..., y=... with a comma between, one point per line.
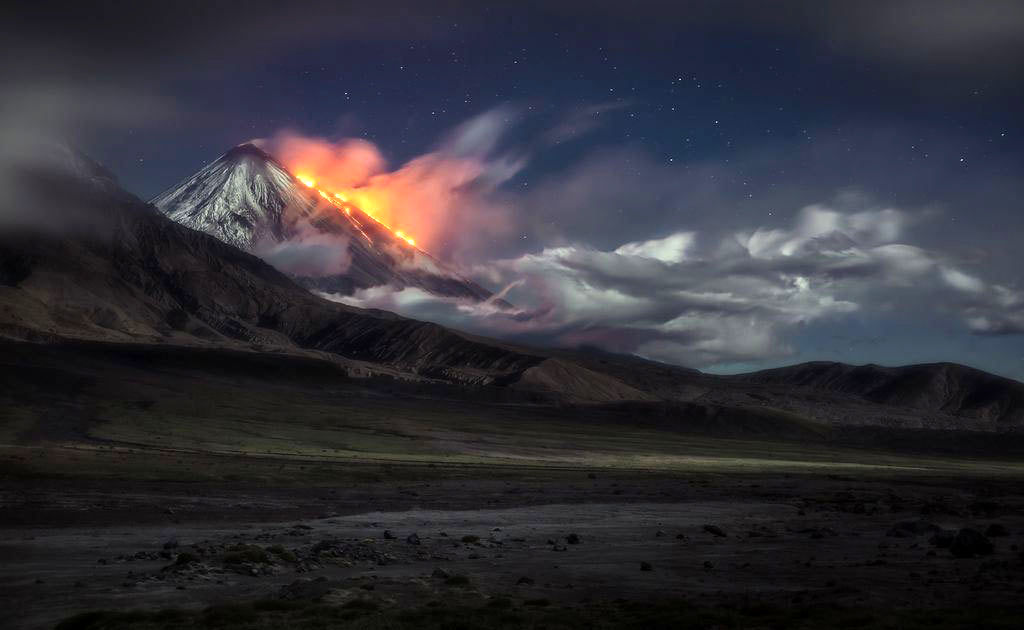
x=421, y=547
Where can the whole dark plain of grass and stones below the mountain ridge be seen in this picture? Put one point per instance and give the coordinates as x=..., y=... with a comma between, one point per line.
x=167, y=488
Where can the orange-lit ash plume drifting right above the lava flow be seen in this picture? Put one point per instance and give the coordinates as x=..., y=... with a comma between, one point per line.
x=448, y=199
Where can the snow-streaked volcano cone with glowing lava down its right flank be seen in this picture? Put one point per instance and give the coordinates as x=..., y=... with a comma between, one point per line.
x=248, y=199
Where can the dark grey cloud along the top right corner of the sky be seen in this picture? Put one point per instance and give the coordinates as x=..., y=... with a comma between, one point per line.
x=940, y=36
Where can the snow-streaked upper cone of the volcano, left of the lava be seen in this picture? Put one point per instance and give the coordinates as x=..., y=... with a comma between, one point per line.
x=241, y=198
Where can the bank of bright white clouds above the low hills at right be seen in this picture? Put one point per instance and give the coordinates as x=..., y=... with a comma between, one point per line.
x=705, y=300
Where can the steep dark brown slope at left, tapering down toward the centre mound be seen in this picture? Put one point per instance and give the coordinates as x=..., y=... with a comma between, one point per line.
x=132, y=275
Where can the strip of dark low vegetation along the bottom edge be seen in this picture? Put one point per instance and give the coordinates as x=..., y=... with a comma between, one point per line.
x=368, y=615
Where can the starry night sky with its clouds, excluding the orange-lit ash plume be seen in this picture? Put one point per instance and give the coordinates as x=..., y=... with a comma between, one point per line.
x=729, y=186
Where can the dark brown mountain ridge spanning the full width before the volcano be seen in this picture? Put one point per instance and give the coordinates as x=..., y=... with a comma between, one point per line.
x=138, y=277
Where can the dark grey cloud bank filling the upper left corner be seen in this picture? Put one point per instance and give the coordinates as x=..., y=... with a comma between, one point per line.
x=74, y=71
